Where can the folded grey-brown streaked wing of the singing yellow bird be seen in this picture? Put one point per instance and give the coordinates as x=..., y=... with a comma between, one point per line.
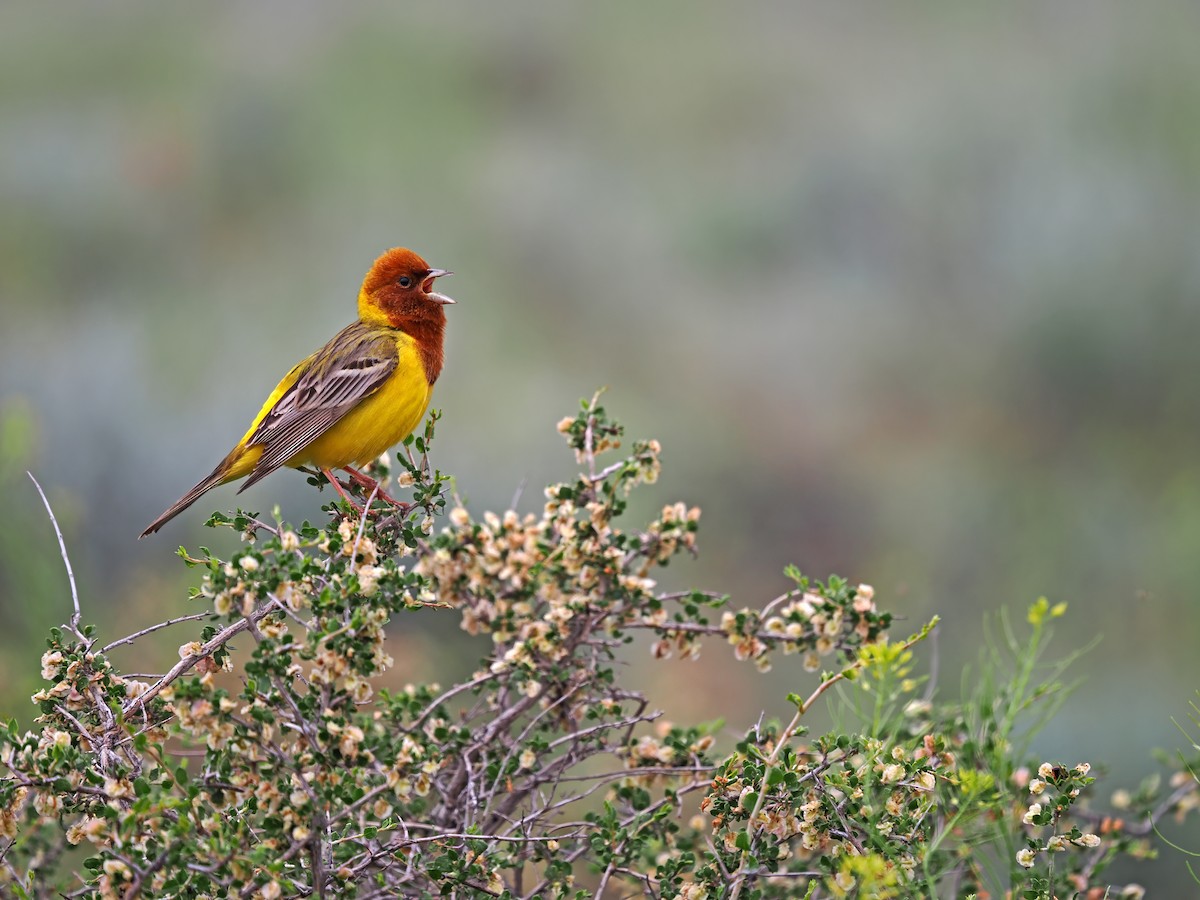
x=335, y=380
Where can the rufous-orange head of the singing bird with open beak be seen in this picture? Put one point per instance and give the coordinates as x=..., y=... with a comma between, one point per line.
x=399, y=292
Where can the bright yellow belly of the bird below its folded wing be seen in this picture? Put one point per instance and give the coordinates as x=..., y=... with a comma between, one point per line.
x=379, y=423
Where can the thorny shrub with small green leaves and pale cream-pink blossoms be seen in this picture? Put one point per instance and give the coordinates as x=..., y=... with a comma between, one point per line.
x=545, y=773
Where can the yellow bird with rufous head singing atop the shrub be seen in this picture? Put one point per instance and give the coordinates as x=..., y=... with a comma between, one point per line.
x=361, y=394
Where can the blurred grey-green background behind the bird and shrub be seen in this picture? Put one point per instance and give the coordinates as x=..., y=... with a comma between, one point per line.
x=909, y=293
